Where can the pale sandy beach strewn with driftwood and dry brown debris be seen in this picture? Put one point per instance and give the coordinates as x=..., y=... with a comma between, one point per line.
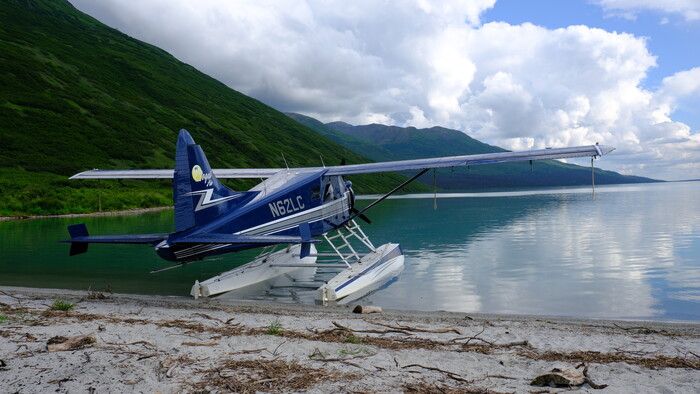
x=132, y=343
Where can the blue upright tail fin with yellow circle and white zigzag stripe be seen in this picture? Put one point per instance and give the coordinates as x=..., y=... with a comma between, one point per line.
x=198, y=196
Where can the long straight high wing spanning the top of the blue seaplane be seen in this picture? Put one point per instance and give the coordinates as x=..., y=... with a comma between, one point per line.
x=388, y=166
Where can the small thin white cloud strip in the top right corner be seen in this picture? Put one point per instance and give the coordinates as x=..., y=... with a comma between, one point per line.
x=688, y=9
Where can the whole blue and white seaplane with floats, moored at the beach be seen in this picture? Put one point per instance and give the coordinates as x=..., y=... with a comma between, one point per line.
x=292, y=209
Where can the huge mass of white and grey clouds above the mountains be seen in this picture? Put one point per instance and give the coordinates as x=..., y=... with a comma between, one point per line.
x=421, y=64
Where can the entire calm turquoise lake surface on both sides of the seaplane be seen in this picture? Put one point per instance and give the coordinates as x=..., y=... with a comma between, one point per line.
x=633, y=252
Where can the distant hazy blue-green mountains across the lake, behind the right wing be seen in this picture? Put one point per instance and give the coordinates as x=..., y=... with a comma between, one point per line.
x=382, y=143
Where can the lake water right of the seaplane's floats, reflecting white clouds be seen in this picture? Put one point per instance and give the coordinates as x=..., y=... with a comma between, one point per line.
x=623, y=255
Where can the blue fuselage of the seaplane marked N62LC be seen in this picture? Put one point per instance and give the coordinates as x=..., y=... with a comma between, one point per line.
x=276, y=206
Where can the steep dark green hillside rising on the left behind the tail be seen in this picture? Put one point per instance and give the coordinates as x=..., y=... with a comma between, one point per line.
x=78, y=95
